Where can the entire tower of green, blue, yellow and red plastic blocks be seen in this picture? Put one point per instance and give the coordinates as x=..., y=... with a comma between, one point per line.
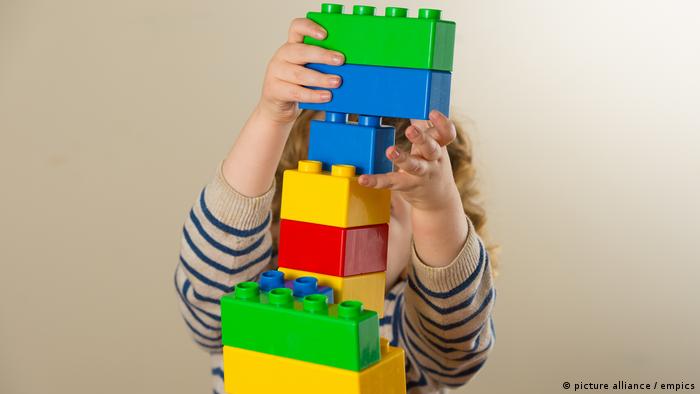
x=314, y=323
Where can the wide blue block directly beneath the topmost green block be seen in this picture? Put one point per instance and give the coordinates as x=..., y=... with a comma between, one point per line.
x=386, y=91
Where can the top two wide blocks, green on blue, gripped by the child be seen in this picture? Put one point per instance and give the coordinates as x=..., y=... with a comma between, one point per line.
x=395, y=66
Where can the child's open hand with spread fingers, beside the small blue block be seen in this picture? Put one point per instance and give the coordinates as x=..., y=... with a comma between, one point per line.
x=424, y=175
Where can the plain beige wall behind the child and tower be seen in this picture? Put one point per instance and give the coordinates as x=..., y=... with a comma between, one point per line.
x=113, y=114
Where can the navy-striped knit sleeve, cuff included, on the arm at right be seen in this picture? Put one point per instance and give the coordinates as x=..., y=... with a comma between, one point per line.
x=442, y=317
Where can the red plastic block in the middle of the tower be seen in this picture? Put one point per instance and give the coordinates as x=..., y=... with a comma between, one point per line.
x=331, y=250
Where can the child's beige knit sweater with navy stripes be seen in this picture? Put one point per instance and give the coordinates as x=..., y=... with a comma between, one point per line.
x=440, y=316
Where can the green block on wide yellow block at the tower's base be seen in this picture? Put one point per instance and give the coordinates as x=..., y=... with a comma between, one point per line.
x=308, y=345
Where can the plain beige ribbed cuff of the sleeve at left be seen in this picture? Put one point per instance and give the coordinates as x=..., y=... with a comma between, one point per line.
x=233, y=208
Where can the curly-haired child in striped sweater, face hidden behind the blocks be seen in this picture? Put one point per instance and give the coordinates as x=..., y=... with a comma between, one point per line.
x=438, y=273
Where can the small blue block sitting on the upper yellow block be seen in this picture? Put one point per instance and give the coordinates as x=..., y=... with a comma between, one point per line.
x=362, y=145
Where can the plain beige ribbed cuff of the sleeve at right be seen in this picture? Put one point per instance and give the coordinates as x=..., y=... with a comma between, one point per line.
x=444, y=279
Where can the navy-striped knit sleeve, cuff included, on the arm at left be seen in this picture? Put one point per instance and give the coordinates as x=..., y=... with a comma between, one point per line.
x=226, y=239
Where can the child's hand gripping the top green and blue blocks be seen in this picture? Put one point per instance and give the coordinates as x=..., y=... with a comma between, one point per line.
x=286, y=75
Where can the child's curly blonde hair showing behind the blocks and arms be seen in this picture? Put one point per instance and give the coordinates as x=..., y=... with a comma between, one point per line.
x=461, y=159
